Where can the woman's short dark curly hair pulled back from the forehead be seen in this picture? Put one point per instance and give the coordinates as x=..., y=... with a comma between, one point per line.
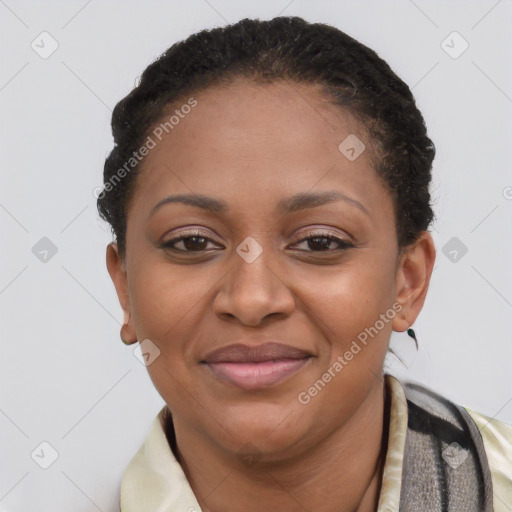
x=283, y=48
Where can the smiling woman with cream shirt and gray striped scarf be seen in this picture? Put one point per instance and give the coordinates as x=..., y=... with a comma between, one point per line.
x=269, y=196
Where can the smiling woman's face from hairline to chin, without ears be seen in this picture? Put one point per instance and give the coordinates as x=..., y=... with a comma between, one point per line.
x=260, y=269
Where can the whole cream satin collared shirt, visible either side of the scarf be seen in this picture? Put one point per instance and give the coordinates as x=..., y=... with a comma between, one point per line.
x=155, y=482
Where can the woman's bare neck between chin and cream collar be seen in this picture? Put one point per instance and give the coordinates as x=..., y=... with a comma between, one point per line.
x=343, y=471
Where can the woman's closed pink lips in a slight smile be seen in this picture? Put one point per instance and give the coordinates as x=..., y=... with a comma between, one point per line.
x=256, y=367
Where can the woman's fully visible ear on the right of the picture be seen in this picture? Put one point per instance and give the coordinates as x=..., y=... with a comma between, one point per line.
x=412, y=279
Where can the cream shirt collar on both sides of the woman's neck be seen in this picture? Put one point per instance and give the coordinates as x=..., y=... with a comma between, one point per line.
x=154, y=480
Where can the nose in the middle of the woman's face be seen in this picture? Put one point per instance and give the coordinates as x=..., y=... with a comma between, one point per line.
x=253, y=292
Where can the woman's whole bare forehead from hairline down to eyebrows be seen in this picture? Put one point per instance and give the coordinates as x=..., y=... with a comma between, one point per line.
x=256, y=142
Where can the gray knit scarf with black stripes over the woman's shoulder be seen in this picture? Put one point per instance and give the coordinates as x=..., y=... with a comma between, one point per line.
x=445, y=466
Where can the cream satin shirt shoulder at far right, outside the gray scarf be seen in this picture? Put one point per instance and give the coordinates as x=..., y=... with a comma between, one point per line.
x=497, y=438
